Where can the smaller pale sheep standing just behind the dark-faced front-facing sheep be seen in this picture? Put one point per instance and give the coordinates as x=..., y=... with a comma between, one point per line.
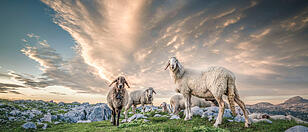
x=139, y=97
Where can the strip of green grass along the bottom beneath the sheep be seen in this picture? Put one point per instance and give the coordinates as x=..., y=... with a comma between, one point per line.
x=163, y=124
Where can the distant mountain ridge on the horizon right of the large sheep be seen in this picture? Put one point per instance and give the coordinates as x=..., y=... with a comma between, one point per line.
x=296, y=106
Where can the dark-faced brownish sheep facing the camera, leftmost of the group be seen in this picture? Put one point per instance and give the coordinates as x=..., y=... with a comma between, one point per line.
x=117, y=98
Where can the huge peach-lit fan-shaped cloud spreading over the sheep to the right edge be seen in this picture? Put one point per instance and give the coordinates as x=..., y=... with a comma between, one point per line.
x=136, y=38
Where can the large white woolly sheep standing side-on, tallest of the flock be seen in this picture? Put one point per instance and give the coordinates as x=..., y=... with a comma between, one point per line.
x=213, y=82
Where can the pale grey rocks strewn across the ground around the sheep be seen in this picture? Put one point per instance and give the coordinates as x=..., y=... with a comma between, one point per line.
x=40, y=115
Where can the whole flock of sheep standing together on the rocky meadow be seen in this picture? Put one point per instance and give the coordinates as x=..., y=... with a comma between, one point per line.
x=210, y=84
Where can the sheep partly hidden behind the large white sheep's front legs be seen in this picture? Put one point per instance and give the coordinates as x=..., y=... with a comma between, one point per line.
x=177, y=103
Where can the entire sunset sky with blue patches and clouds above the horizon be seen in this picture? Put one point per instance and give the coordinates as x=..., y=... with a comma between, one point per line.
x=70, y=50
